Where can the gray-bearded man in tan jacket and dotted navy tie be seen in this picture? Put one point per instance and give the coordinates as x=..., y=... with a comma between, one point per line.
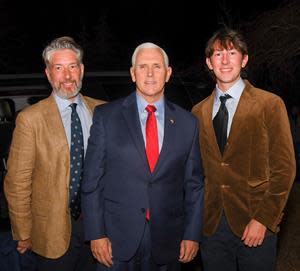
x=44, y=169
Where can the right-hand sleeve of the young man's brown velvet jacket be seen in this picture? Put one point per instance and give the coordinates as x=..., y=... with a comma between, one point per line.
x=281, y=163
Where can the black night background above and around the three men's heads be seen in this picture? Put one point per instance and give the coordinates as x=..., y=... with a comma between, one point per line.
x=110, y=31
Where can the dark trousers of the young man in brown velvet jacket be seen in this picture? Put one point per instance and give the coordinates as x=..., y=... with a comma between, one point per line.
x=225, y=251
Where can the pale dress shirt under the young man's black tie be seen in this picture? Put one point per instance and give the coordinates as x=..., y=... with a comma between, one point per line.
x=235, y=92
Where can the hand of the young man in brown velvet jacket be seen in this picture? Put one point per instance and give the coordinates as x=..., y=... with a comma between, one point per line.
x=254, y=233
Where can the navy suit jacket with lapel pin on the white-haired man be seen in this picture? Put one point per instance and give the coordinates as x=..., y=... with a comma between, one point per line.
x=118, y=186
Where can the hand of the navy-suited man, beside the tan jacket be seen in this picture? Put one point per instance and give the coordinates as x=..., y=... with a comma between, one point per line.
x=102, y=251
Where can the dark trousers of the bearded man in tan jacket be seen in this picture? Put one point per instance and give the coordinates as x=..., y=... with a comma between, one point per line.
x=77, y=258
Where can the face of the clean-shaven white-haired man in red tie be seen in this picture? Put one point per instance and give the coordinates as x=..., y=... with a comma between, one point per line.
x=150, y=74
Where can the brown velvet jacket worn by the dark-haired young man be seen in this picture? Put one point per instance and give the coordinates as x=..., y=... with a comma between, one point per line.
x=255, y=174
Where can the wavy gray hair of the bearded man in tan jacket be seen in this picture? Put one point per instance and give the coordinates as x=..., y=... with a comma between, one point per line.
x=60, y=44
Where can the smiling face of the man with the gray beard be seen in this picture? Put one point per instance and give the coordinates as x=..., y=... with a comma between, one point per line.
x=65, y=73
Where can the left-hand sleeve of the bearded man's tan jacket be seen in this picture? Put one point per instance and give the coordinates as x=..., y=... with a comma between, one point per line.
x=18, y=180
